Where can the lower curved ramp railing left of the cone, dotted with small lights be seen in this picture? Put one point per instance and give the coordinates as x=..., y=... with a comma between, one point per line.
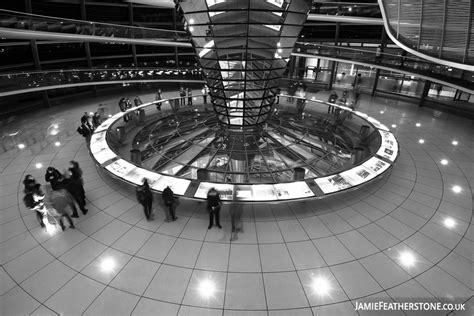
x=16, y=83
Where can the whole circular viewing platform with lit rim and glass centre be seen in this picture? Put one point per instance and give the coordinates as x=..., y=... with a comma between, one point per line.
x=307, y=149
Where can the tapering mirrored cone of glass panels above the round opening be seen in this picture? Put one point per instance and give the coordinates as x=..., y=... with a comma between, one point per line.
x=243, y=47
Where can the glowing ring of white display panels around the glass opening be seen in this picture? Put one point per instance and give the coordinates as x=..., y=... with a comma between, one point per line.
x=374, y=166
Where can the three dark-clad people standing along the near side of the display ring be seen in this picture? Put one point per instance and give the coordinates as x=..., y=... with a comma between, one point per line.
x=145, y=198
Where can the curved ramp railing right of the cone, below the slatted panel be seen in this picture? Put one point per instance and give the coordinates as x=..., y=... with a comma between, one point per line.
x=412, y=65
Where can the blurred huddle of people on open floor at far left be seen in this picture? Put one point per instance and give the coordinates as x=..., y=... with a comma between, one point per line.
x=63, y=193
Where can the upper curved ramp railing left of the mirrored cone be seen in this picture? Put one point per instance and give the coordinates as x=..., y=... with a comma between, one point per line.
x=18, y=25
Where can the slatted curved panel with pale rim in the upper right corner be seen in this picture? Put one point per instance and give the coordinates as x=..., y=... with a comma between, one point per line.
x=440, y=31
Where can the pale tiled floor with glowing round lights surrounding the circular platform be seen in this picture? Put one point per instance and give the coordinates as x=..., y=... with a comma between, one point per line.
x=405, y=238
